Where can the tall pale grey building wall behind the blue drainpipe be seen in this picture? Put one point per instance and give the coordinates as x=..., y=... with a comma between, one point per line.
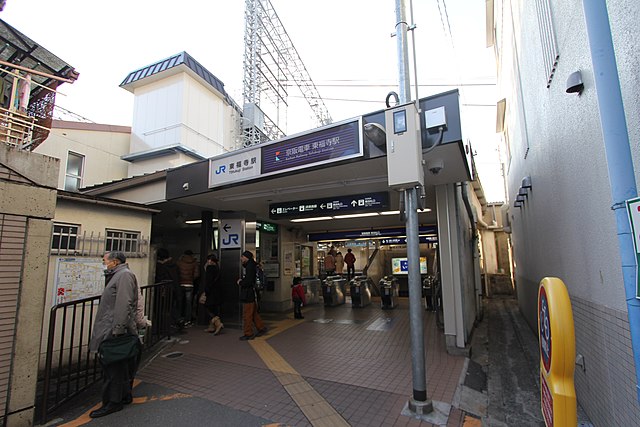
x=566, y=227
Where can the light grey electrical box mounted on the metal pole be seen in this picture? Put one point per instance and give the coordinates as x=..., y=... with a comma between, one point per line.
x=404, y=146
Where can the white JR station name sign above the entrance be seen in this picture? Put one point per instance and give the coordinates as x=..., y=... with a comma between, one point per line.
x=237, y=167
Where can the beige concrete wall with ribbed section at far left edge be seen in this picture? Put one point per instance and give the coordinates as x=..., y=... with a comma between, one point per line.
x=26, y=197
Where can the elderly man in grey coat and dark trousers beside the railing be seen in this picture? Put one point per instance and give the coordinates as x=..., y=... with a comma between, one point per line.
x=115, y=317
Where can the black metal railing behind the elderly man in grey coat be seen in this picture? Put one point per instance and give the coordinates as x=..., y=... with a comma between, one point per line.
x=69, y=367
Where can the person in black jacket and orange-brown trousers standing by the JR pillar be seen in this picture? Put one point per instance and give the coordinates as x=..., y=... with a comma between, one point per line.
x=247, y=285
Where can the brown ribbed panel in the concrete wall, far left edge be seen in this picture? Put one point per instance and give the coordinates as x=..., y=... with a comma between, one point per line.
x=13, y=231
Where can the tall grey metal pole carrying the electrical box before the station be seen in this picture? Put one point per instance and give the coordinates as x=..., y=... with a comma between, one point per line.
x=419, y=402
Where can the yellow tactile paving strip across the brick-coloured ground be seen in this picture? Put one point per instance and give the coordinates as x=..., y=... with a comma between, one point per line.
x=317, y=410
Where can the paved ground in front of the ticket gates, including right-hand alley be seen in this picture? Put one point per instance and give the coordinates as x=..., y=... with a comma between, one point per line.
x=338, y=366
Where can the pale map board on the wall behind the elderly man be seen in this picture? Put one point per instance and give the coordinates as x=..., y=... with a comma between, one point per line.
x=78, y=278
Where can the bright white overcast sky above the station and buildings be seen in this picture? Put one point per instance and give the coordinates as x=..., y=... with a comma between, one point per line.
x=346, y=46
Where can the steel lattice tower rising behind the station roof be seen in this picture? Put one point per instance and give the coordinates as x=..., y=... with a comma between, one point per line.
x=271, y=66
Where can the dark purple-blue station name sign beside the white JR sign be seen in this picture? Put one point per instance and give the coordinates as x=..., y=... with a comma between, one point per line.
x=323, y=146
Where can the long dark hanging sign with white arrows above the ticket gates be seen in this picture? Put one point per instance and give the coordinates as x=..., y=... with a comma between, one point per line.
x=371, y=202
